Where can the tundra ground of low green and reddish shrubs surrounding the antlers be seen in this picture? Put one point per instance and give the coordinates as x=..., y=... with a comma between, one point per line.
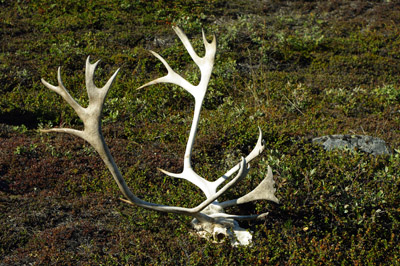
x=297, y=69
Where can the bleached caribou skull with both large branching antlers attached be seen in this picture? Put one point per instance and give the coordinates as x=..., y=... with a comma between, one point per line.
x=209, y=216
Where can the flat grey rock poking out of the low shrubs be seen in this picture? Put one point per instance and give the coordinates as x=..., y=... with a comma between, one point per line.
x=375, y=146
